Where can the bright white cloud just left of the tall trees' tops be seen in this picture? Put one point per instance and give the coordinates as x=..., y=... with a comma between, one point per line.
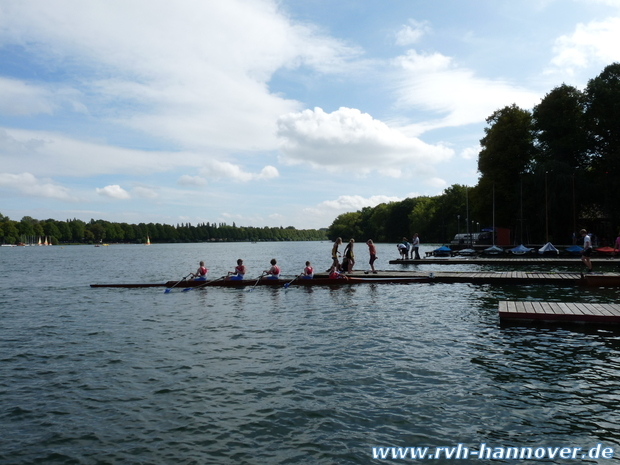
x=433, y=83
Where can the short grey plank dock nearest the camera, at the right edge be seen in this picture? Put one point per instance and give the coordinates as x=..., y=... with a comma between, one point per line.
x=559, y=311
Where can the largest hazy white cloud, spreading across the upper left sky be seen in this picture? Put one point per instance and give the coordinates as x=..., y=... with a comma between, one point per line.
x=196, y=73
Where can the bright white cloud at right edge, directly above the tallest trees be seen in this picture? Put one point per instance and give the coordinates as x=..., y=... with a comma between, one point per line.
x=592, y=43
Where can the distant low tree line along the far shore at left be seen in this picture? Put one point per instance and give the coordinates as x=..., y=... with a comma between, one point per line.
x=96, y=231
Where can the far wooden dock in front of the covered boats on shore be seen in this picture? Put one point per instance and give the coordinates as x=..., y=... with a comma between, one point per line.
x=569, y=261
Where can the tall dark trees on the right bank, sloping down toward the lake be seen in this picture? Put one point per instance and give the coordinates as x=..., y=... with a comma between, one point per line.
x=545, y=173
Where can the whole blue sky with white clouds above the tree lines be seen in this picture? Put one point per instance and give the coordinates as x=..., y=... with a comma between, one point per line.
x=269, y=113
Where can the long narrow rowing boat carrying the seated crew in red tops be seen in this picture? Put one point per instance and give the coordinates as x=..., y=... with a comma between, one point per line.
x=276, y=282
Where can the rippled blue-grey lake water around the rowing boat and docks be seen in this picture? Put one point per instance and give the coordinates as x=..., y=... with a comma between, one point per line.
x=274, y=376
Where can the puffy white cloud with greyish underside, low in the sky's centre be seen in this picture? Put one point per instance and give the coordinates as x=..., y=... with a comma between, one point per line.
x=352, y=139
